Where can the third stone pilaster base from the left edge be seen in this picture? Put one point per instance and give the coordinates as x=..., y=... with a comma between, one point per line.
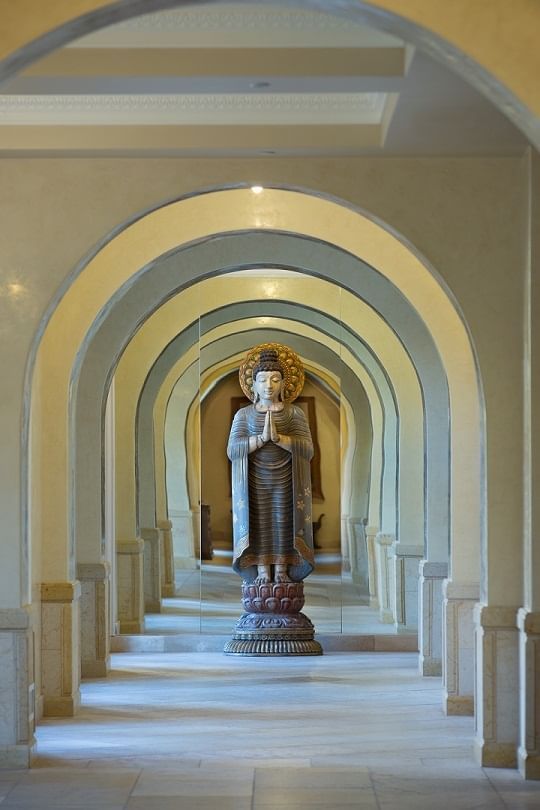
x=95, y=619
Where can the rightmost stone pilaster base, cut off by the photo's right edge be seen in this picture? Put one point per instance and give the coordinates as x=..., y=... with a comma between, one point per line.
x=529, y=694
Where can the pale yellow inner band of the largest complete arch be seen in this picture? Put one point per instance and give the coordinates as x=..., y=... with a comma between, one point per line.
x=113, y=270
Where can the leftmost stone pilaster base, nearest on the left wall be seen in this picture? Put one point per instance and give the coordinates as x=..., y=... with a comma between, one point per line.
x=17, y=688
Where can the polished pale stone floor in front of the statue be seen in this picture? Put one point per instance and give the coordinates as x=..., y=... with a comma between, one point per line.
x=202, y=730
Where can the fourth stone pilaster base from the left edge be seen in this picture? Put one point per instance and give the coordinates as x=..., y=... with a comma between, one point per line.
x=130, y=585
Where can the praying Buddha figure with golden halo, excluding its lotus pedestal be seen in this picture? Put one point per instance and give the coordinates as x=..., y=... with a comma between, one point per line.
x=270, y=448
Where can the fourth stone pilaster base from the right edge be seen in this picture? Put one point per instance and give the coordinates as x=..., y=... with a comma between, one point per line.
x=430, y=613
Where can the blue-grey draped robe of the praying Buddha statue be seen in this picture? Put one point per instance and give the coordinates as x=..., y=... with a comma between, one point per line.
x=271, y=494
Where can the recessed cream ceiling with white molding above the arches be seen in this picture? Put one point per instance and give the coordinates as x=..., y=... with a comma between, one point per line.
x=245, y=80
